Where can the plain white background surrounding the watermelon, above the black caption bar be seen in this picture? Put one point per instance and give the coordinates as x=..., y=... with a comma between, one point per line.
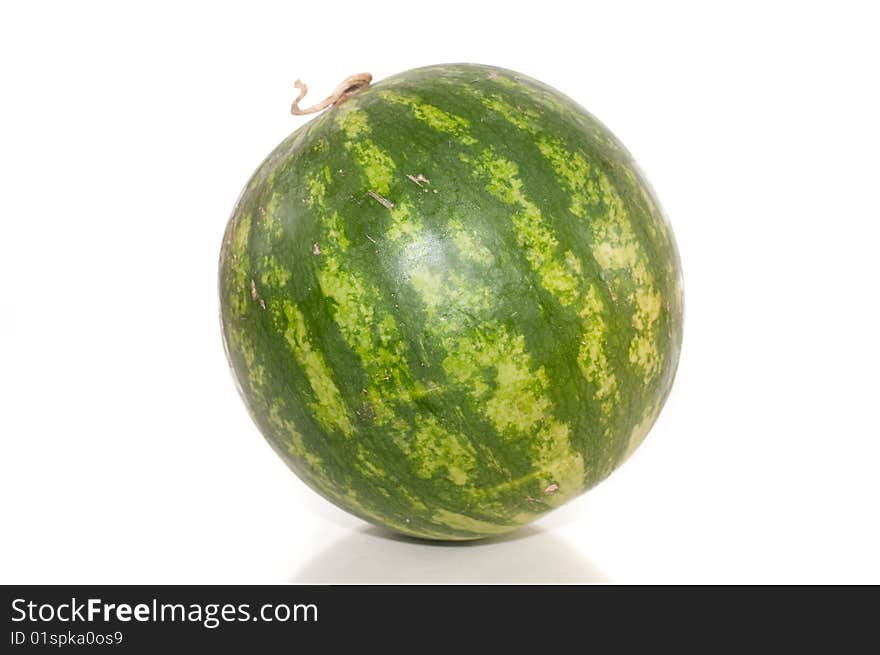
x=127, y=133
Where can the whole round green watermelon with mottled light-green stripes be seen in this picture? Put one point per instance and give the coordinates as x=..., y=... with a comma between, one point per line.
x=451, y=301
